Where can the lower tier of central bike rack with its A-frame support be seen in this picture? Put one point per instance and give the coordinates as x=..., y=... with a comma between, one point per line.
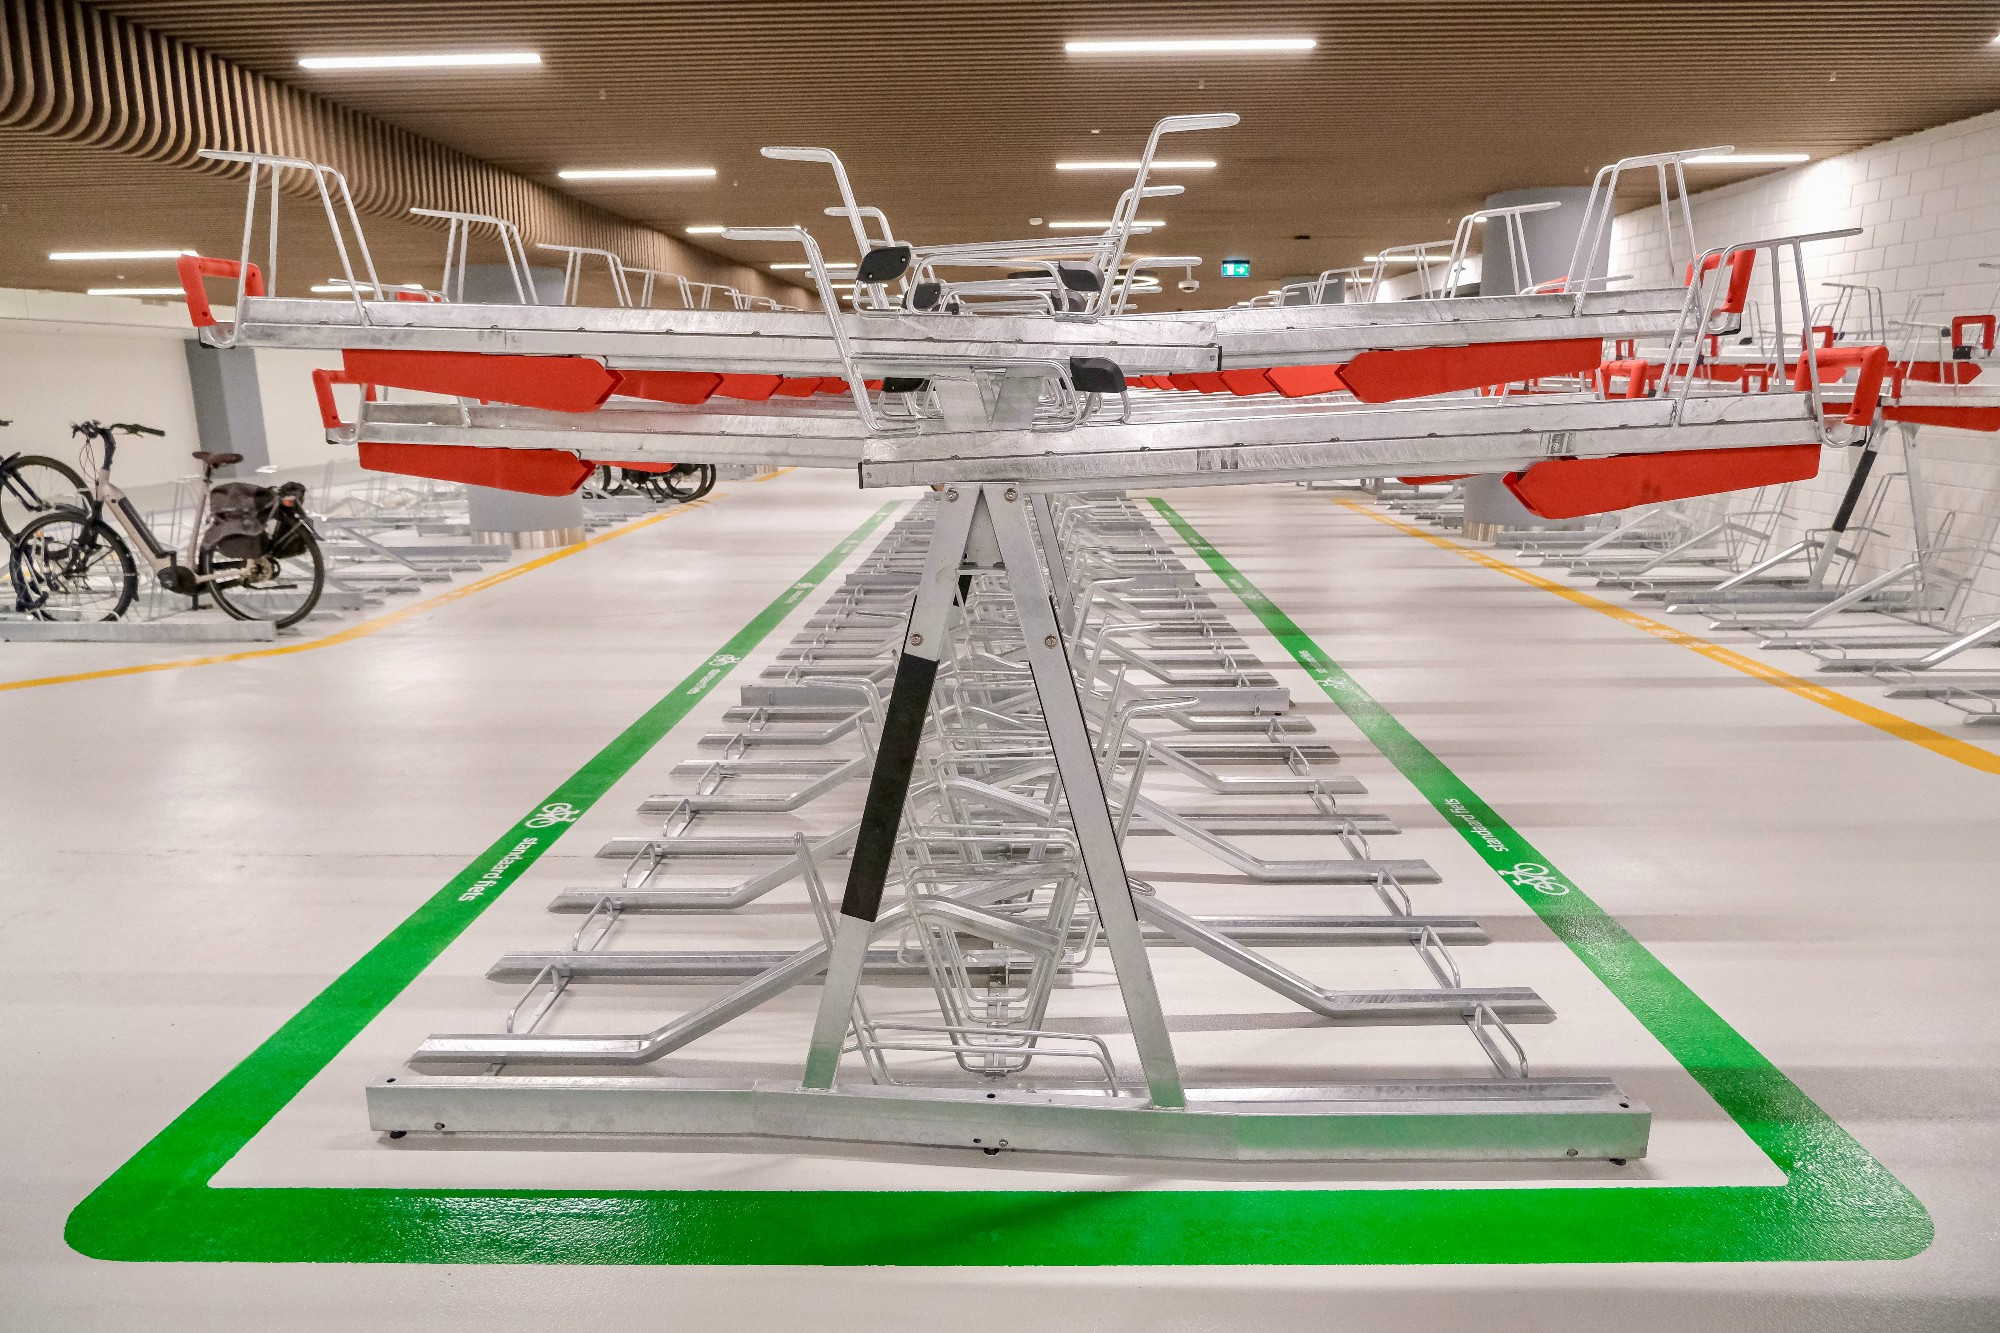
x=1031, y=760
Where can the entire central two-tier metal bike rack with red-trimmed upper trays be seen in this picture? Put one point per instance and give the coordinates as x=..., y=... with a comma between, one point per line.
x=1033, y=682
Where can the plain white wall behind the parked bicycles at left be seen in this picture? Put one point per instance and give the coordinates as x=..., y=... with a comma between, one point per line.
x=67, y=357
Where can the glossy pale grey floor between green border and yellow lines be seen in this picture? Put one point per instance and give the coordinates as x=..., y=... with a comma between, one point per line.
x=191, y=856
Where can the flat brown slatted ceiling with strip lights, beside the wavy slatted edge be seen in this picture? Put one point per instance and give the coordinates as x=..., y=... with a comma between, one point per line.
x=951, y=117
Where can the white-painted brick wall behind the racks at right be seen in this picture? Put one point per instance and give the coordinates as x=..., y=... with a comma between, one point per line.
x=1931, y=213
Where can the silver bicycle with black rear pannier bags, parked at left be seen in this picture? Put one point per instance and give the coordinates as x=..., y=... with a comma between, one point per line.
x=259, y=559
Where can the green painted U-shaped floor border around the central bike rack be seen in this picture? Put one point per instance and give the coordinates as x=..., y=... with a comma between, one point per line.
x=1839, y=1202
